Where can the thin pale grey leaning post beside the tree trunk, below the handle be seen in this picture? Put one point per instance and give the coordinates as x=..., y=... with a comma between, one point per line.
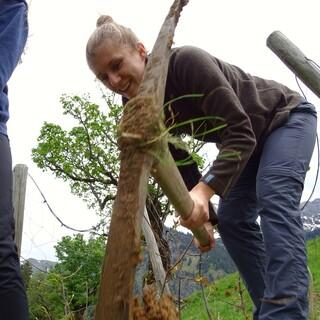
x=154, y=254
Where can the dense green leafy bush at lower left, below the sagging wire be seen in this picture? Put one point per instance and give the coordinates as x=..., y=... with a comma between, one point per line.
x=69, y=289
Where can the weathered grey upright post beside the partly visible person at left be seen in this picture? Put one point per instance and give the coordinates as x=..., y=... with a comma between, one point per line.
x=20, y=173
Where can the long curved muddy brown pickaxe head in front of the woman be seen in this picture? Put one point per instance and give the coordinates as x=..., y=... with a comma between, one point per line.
x=123, y=246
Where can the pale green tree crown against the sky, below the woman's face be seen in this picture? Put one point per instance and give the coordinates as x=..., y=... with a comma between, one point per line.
x=86, y=156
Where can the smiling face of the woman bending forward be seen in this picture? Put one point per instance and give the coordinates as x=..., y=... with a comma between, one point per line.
x=120, y=68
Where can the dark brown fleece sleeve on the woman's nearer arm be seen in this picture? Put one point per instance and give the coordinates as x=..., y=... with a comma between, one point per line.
x=195, y=71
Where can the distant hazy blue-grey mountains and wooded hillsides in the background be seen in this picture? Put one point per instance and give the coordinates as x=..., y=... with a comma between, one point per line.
x=214, y=265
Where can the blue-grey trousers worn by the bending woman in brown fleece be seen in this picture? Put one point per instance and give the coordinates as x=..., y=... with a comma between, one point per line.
x=271, y=255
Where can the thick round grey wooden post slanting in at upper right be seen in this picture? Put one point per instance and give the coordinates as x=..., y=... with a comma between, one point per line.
x=295, y=60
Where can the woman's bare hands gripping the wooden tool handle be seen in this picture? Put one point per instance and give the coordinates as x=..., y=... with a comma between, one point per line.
x=199, y=216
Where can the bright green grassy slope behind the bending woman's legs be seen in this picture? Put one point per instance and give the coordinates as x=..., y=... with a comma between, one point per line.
x=224, y=298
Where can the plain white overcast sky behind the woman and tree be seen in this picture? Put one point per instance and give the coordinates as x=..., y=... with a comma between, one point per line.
x=54, y=63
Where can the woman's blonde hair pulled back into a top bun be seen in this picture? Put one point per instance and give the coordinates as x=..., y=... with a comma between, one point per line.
x=108, y=29
